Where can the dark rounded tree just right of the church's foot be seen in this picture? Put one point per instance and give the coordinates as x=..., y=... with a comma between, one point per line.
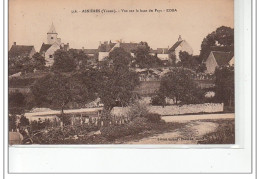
x=63, y=61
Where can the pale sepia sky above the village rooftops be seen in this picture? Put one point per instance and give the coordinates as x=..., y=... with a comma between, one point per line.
x=30, y=20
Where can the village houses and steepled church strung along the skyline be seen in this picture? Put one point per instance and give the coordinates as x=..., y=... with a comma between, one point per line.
x=216, y=57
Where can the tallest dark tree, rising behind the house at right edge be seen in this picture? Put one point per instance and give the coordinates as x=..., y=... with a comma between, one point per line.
x=222, y=37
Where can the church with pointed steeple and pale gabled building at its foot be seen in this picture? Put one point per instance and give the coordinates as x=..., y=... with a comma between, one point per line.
x=53, y=44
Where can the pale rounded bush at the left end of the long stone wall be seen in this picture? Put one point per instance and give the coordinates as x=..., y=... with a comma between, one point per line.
x=137, y=109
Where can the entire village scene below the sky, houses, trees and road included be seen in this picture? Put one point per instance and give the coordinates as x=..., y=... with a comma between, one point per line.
x=122, y=92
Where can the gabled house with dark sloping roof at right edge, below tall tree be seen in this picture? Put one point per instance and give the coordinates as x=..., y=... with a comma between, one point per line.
x=218, y=59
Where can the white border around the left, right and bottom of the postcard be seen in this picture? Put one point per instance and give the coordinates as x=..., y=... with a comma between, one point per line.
x=107, y=160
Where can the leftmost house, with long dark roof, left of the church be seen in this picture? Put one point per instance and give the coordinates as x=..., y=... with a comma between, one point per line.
x=21, y=51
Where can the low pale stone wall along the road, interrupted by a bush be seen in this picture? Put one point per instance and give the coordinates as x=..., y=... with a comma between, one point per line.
x=177, y=109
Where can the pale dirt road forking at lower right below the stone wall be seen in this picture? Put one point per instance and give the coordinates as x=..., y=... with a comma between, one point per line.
x=196, y=128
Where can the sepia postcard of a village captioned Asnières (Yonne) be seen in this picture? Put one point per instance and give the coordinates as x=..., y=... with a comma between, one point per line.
x=121, y=72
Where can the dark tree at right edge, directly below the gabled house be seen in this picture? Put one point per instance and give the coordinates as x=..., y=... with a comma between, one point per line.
x=225, y=90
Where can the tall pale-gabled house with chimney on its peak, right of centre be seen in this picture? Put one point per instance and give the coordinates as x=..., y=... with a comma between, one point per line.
x=180, y=45
